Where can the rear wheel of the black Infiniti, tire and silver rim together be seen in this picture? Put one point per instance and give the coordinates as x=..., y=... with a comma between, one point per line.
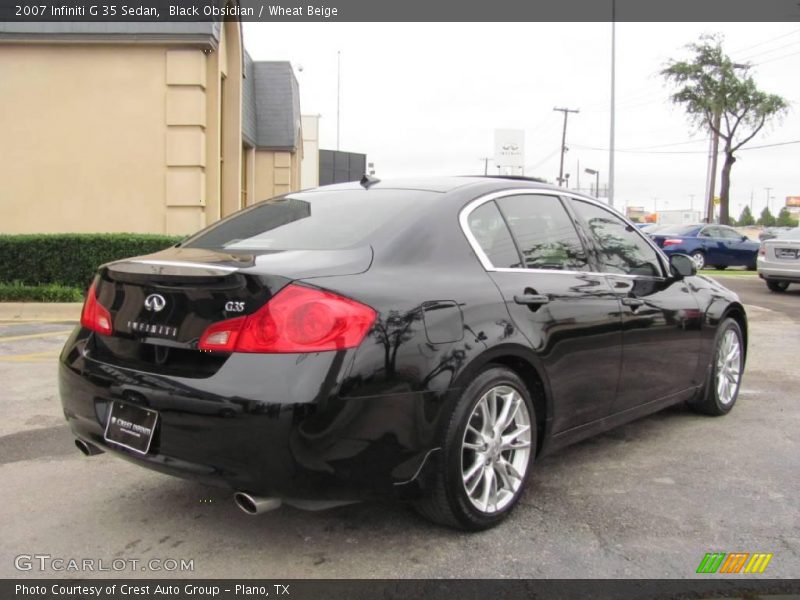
x=488, y=447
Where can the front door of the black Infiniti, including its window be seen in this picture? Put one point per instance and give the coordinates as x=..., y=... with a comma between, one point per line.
x=661, y=319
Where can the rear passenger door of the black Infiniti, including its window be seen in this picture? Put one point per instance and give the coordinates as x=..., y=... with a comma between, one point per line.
x=569, y=314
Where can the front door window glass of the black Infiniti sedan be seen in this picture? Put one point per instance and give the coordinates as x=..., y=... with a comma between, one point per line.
x=621, y=248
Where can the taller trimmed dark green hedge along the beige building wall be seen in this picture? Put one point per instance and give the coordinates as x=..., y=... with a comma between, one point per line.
x=69, y=259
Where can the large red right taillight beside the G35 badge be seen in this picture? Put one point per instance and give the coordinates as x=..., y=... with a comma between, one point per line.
x=298, y=319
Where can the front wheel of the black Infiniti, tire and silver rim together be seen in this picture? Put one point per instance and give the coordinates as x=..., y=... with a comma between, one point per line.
x=725, y=372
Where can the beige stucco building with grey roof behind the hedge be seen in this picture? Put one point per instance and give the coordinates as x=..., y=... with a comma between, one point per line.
x=140, y=127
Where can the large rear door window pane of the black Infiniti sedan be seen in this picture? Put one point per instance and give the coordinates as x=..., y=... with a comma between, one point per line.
x=544, y=232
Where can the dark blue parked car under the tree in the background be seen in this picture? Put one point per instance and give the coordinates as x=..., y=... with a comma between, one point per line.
x=719, y=246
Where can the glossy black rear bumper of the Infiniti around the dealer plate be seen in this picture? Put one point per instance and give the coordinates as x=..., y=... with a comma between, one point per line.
x=266, y=424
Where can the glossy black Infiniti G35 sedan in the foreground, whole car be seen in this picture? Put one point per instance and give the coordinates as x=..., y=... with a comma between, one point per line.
x=425, y=339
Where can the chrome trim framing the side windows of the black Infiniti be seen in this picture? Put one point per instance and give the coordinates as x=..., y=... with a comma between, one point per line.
x=463, y=219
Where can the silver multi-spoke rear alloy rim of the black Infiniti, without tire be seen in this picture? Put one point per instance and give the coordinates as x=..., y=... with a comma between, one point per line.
x=496, y=449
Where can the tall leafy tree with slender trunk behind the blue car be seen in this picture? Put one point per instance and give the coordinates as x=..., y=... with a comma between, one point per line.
x=717, y=99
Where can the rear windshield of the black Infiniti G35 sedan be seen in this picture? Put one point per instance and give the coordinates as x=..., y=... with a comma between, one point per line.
x=312, y=221
